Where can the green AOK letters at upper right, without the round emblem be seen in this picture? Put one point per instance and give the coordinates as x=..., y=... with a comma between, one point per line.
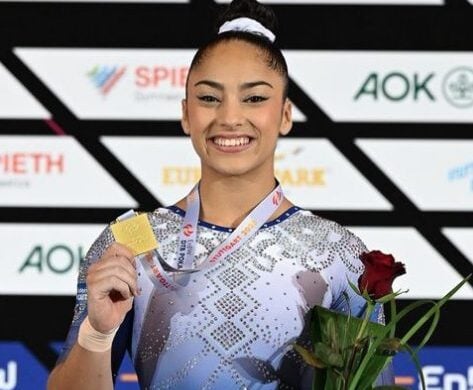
x=396, y=86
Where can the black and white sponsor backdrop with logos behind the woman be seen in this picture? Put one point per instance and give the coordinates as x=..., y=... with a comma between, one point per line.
x=89, y=127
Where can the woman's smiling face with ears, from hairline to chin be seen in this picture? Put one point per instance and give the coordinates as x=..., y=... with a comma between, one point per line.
x=235, y=111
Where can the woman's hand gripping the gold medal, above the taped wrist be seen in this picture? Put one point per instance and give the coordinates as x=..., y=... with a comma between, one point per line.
x=111, y=285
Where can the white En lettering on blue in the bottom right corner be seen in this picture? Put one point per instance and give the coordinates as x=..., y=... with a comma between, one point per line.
x=437, y=379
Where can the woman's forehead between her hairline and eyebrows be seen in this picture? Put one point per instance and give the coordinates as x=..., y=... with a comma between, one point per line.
x=234, y=61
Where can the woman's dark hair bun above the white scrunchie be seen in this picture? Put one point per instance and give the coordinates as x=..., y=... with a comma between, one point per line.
x=249, y=9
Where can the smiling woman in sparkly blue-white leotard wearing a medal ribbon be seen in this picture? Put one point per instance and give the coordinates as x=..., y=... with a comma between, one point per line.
x=221, y=301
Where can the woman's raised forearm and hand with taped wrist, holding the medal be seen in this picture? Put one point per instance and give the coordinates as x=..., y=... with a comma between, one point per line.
x=111, y=285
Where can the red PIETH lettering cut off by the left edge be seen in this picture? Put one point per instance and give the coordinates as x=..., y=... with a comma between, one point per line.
x=23, y=163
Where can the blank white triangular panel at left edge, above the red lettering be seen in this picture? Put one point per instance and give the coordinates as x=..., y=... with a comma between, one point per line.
x=16, y=101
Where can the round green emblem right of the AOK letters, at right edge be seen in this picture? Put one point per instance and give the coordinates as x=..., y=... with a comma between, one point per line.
x=458, y=87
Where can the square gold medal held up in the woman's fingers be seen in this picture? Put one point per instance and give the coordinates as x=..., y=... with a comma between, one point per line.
x=136, y=233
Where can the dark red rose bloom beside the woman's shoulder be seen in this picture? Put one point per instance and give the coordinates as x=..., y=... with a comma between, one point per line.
x=379, y=274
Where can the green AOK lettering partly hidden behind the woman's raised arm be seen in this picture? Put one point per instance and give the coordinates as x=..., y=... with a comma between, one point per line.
x=57, y=259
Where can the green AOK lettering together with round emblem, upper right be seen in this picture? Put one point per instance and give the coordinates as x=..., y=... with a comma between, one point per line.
x=398, y=86
